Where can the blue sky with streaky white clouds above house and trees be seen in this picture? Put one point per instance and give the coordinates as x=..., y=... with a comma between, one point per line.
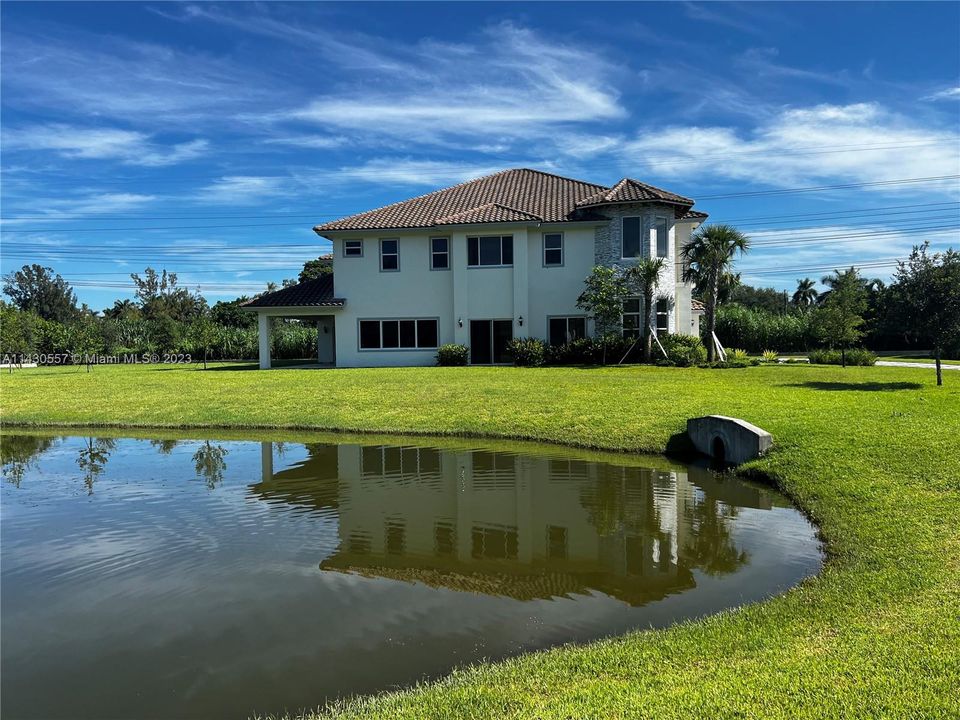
x=208, y=138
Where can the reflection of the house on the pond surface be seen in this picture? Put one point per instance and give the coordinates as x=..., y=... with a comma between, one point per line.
x=519, y=526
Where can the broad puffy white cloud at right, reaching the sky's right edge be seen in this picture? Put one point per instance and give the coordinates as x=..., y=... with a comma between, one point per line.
x=861, y=142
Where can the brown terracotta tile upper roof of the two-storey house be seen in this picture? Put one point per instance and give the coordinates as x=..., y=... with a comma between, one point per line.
x=507, y=196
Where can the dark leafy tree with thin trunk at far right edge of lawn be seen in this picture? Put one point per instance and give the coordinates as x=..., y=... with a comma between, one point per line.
x=928, y=288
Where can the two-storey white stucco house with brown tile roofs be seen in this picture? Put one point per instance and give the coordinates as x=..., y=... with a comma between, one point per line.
x=482, y=262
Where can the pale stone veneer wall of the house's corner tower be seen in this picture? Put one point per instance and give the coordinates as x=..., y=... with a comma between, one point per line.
x=607, y=247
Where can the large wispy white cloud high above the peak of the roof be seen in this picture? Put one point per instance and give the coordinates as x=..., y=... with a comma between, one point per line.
x=514, y=84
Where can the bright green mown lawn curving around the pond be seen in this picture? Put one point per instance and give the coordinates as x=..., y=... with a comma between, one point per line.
x=871, y=454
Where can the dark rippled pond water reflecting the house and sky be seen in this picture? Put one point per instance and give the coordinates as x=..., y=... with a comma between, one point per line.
x=162, y=578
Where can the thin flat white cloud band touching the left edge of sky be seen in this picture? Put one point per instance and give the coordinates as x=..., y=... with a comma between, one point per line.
x=127, y=146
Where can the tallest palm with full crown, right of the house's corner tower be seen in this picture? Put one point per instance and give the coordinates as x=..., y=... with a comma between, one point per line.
x=707, y=256
